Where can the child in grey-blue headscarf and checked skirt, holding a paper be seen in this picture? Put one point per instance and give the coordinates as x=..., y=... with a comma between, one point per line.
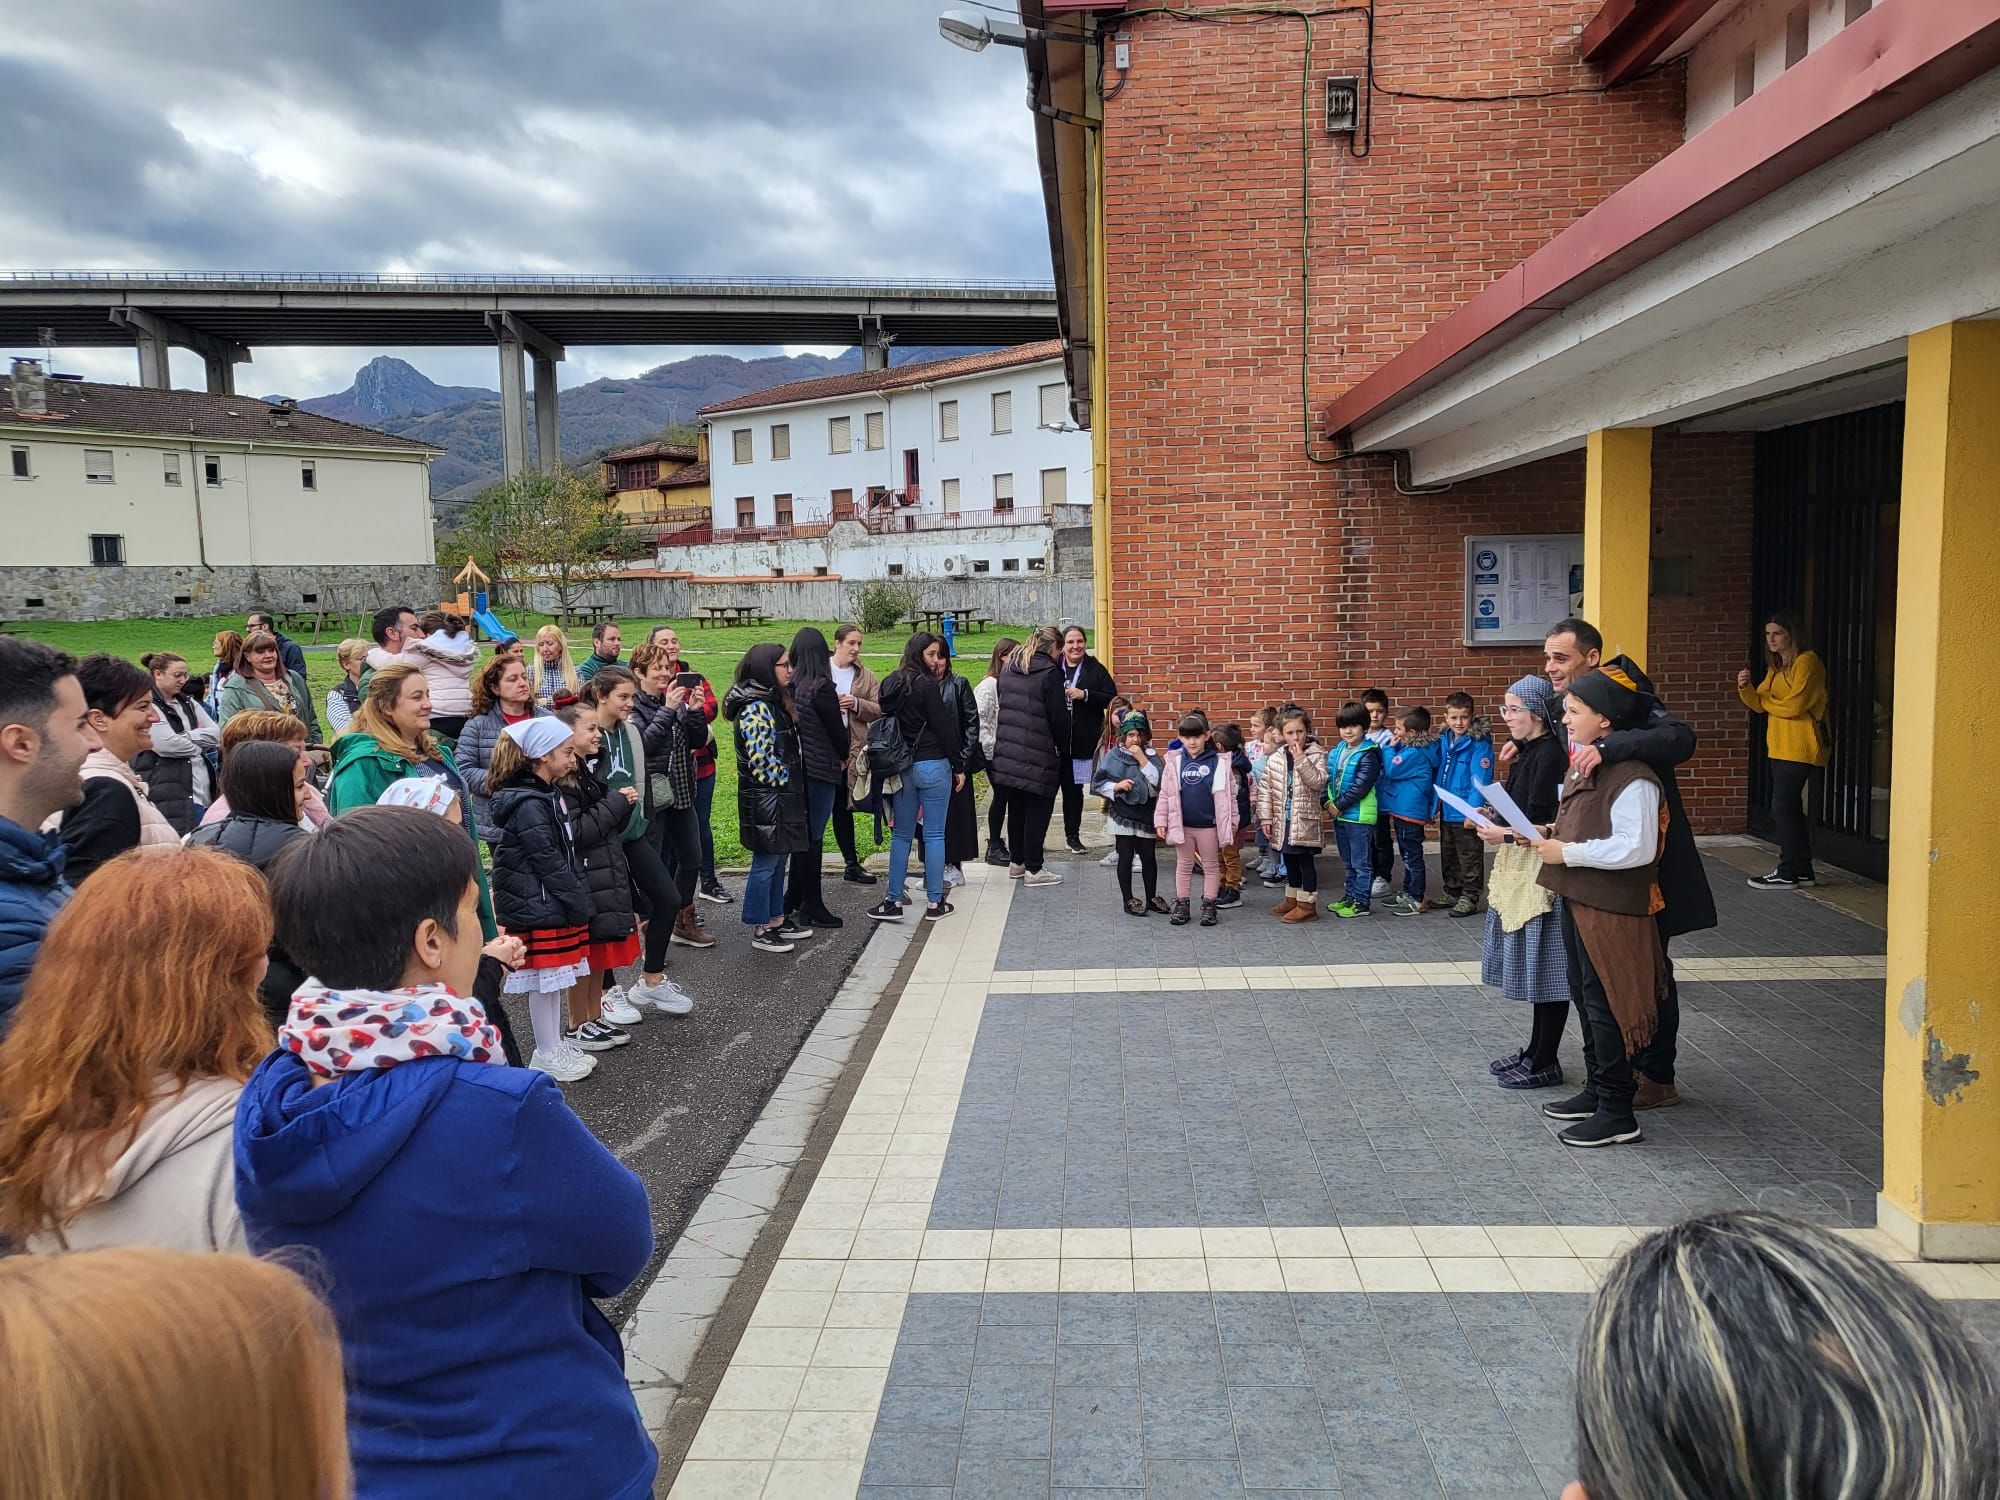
x=1523, y=955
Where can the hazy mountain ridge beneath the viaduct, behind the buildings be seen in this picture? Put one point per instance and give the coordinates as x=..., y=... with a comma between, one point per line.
x=465, y=421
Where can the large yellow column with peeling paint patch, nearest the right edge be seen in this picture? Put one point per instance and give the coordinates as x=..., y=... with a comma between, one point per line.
x=1941, y=1069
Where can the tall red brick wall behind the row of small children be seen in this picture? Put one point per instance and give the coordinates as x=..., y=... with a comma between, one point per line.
x=1245, y=573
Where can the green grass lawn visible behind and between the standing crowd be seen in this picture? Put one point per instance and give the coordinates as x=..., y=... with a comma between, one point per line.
x=713, y=653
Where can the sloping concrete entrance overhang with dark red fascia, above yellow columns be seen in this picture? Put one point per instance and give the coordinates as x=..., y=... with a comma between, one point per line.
x=1665, y=309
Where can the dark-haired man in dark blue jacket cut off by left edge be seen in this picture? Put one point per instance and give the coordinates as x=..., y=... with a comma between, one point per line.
x=45, y=735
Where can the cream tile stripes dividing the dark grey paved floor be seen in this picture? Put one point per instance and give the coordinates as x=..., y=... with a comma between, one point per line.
x=795, y=1413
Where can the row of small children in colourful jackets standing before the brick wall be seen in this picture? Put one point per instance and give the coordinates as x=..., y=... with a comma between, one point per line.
x=1281, y=787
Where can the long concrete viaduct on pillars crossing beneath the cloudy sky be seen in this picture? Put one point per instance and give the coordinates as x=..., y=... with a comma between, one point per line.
x=529, y=319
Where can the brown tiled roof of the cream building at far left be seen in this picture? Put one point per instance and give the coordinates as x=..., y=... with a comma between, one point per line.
x=91, y=407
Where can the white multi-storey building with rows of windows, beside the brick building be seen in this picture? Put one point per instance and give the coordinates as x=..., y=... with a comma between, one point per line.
x=969, y=443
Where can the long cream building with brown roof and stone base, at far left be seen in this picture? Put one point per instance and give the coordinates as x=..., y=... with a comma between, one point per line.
x=123, y=501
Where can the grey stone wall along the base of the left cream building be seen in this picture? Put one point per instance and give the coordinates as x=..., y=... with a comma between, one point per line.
x=163, y=593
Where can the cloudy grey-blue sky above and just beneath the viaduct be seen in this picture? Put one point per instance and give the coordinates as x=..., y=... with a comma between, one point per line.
x=743, y=137
